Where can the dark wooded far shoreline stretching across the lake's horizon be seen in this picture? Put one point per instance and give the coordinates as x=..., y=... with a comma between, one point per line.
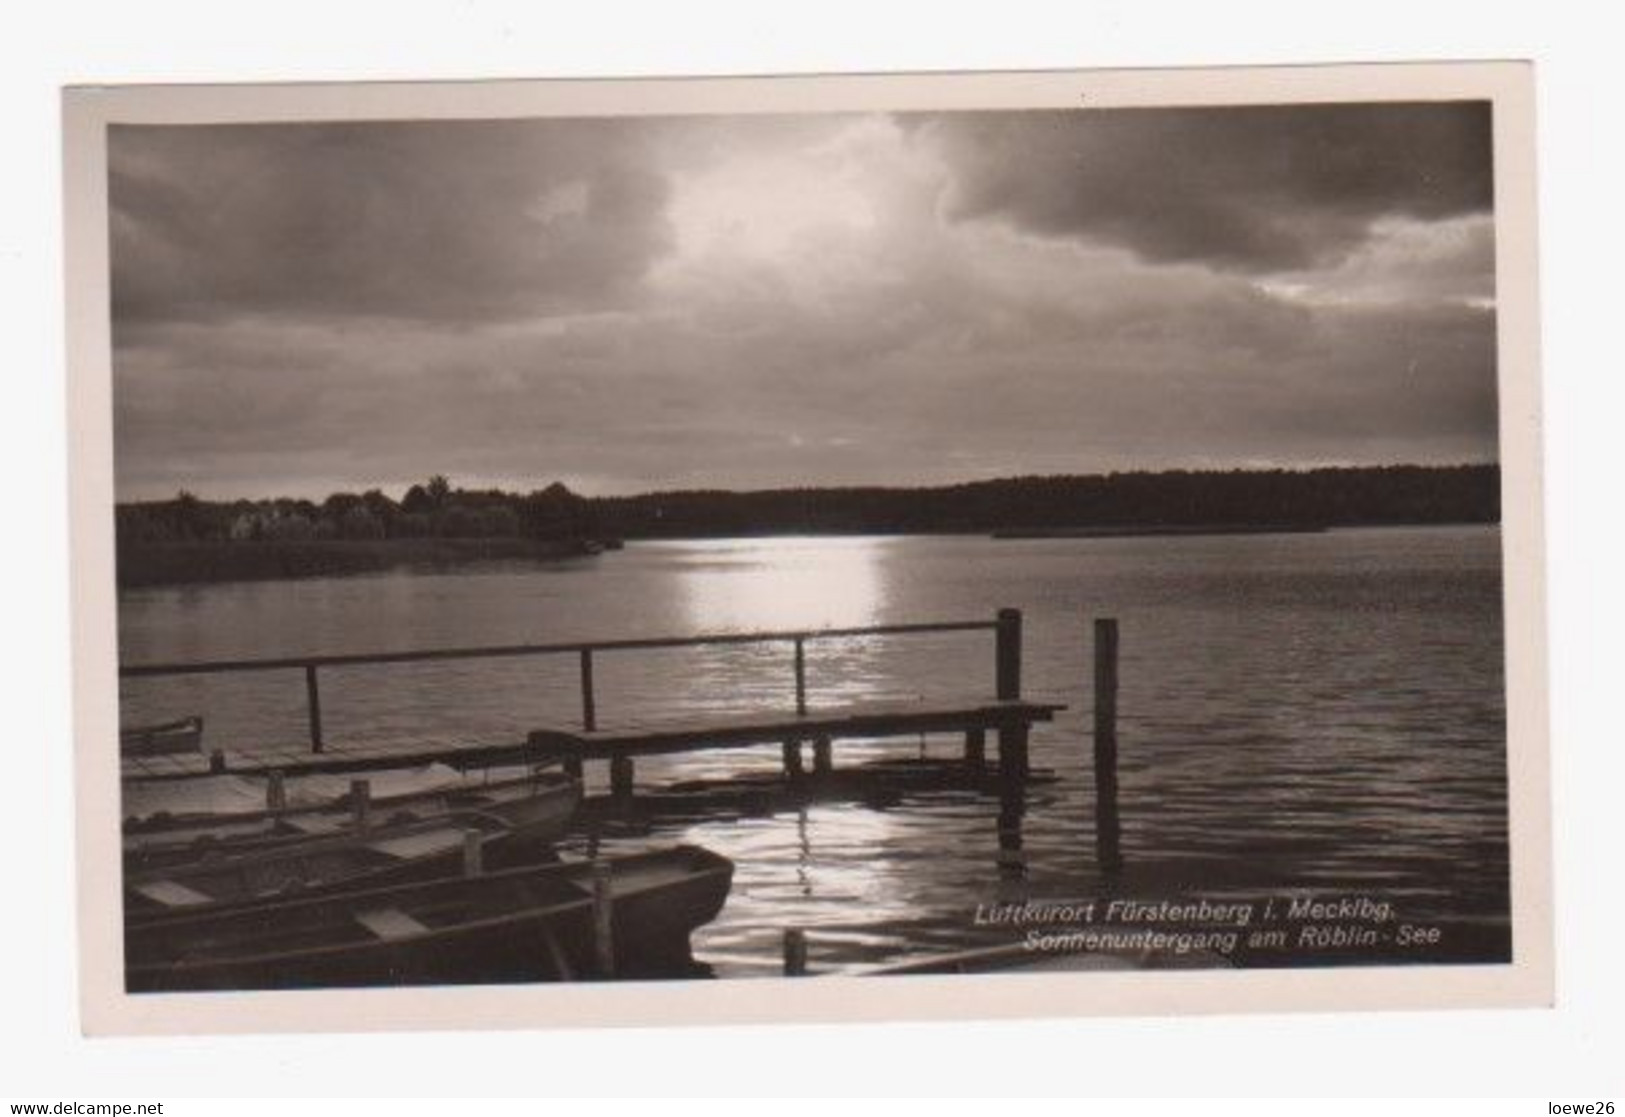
x=435, y=510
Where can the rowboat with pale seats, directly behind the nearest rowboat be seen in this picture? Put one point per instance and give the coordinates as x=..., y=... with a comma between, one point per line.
x=306, y=866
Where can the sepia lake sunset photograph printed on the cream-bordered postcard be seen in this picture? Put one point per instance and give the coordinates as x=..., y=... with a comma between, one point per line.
x=843, y=542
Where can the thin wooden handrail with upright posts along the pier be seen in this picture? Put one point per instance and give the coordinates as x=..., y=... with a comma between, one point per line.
x=1007, y=627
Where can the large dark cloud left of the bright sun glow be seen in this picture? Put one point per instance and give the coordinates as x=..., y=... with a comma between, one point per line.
x=467, y=220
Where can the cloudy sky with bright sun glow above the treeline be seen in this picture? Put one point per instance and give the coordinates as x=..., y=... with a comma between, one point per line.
x=817, y=300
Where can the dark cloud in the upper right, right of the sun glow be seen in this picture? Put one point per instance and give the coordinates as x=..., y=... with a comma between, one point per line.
x=1255, y=189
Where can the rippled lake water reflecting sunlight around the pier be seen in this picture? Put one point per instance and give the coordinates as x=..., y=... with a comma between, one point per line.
x=1301, y=715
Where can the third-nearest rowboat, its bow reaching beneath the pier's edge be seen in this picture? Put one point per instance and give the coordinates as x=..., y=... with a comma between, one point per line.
x=535, y=807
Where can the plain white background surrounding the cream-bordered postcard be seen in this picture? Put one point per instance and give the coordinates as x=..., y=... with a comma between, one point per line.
x=1571, y=1053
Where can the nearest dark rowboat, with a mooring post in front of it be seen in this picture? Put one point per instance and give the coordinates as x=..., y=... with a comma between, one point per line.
x=511, y=926
